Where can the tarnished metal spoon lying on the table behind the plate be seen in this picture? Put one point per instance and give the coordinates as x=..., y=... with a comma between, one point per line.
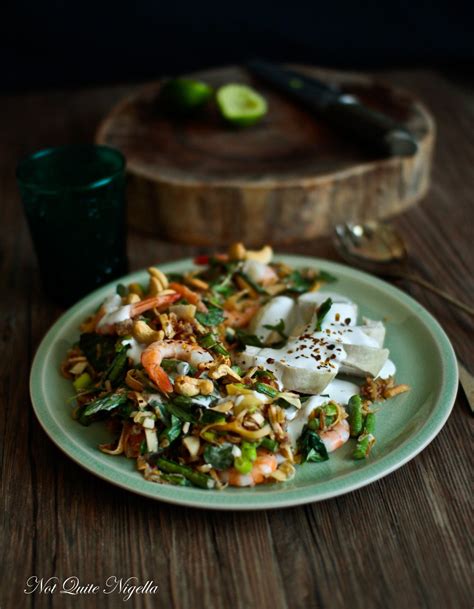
x=379, y=248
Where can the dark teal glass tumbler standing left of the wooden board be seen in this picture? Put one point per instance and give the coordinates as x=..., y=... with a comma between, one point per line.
x=74, y=201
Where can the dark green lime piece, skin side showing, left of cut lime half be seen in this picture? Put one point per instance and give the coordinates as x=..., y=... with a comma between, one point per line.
x=183, y=95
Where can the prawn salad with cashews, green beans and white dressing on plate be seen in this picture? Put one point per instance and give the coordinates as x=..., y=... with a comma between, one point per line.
x=231, y=374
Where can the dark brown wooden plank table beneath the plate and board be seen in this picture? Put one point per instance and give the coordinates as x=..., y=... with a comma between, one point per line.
x=401, y=542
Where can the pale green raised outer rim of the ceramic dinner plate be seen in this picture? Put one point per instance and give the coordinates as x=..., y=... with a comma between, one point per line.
x=308, y=494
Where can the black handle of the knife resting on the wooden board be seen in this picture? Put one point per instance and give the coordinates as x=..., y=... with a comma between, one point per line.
x=377, y=130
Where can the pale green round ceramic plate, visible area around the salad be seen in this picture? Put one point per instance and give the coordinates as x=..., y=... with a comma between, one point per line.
x=405, y=425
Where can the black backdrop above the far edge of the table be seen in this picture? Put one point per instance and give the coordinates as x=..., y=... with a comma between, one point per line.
x=52, y=43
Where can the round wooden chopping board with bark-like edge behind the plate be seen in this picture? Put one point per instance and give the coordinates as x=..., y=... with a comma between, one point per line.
x=286, y=179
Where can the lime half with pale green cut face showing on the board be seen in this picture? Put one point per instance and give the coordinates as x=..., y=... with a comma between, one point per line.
x=241, y=105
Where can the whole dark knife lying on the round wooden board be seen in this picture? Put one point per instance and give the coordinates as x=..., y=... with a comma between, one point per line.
x=344, y=112
